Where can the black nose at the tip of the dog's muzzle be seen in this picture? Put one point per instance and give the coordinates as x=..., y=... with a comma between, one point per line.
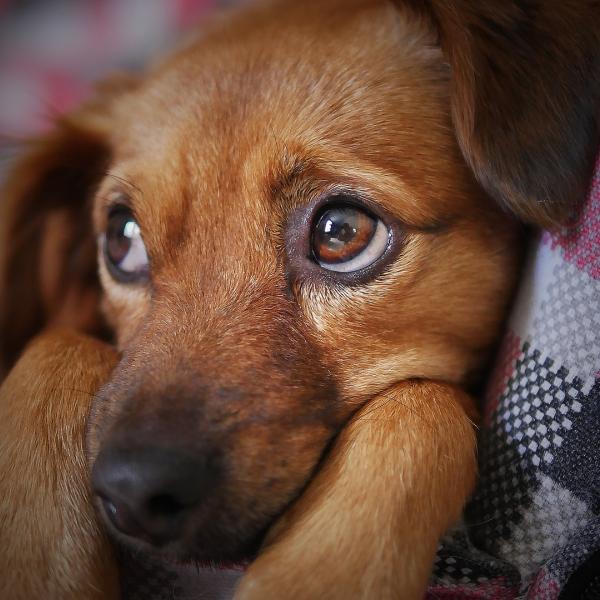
x=150, y=492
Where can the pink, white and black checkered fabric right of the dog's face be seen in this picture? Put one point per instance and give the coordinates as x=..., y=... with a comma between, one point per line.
x=532, y=529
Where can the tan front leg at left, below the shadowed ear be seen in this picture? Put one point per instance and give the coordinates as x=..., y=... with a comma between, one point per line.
x=50, y=544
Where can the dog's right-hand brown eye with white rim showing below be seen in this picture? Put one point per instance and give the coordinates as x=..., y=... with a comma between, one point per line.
x=347, y=238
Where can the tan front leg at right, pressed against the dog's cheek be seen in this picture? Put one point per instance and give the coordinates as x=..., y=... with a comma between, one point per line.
x=368, y=525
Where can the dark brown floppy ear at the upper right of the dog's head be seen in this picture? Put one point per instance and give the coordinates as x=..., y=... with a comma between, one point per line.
x=525, y=94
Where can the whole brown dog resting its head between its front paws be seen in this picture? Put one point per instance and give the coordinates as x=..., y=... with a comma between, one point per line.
x=296, y=242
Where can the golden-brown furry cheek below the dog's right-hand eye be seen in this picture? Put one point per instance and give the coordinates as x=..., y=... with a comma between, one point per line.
x=433, y=314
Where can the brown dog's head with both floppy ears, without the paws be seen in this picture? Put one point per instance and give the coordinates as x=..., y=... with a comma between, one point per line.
x=304, y=206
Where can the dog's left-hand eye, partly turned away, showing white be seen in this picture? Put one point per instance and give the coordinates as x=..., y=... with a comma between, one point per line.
x=124, y=248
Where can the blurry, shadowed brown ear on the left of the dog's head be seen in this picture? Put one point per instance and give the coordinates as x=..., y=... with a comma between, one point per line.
x=47, y=249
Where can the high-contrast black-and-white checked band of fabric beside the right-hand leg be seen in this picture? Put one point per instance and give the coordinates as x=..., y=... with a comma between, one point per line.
x=527, y=429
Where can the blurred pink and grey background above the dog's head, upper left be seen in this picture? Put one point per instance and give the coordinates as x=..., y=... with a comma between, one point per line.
x=51, y=51
